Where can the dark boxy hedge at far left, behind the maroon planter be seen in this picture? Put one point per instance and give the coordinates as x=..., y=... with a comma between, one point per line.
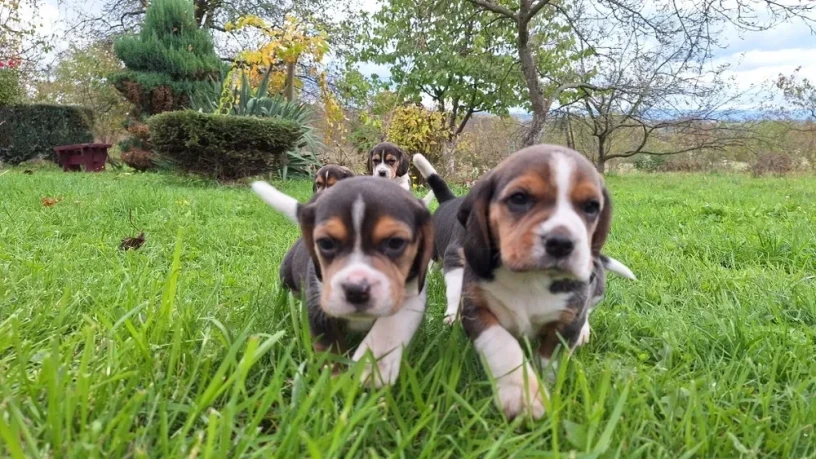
x=32, y=131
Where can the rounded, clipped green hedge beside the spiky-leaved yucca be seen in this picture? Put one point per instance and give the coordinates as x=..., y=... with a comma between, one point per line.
x=222, y=146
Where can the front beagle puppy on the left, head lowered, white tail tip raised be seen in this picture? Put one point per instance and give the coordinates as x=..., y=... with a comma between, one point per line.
x=369, y=244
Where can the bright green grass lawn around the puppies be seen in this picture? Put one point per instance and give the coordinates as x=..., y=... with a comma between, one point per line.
x=188, y=347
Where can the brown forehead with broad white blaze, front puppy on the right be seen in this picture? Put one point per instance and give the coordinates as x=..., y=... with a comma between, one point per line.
x=546, y=162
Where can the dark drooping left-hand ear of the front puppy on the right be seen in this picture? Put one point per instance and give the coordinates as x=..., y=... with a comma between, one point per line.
x=481, y=253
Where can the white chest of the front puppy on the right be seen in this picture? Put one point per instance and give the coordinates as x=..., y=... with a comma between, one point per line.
x=523, y=302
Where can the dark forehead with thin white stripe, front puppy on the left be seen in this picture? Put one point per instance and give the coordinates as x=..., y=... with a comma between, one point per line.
x=368, y=199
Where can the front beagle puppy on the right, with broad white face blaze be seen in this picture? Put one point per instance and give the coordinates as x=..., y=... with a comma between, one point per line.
x=524, y=249
